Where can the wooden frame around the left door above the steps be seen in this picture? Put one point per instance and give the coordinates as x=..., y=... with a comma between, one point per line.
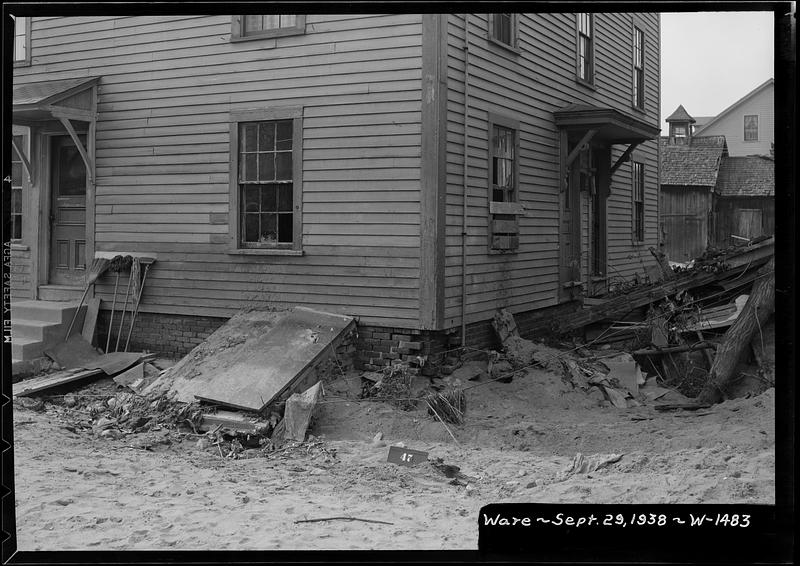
x=43, y=142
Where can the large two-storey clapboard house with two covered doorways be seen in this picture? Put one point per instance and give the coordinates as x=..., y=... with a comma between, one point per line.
x=416, y=171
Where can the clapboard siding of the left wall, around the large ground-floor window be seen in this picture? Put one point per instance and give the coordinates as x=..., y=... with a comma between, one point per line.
x=167, y=87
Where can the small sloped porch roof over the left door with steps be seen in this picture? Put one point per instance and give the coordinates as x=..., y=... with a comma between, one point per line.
x=68, y=98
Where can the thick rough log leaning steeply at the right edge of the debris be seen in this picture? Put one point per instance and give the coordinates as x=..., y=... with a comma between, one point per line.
x=759, y=307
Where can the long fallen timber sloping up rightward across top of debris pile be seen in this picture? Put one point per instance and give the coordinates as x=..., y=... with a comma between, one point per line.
x=742, y=271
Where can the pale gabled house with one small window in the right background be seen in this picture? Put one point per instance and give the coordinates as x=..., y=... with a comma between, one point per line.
x=748, y=124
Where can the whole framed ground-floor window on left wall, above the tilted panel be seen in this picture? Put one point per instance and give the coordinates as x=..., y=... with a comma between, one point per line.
x=267, y=172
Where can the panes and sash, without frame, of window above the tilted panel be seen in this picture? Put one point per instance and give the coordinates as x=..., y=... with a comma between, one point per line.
x=266, y=183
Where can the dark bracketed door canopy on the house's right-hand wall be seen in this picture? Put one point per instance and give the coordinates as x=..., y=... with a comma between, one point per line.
x=612, y=126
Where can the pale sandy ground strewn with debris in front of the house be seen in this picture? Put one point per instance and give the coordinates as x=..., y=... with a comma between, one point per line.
x=156, y=491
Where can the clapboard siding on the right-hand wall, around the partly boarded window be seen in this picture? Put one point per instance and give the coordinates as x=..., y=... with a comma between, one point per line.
x=528, y=86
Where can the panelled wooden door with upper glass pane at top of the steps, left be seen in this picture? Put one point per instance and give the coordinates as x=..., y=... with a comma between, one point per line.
x=67, y=213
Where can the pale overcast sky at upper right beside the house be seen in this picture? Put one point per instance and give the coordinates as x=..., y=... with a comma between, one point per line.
x=709, y=60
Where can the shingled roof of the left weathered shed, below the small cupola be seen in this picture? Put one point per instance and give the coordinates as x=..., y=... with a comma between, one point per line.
x=694, y=164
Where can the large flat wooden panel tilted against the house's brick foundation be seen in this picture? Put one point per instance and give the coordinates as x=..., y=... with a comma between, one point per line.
x=275, y=363
